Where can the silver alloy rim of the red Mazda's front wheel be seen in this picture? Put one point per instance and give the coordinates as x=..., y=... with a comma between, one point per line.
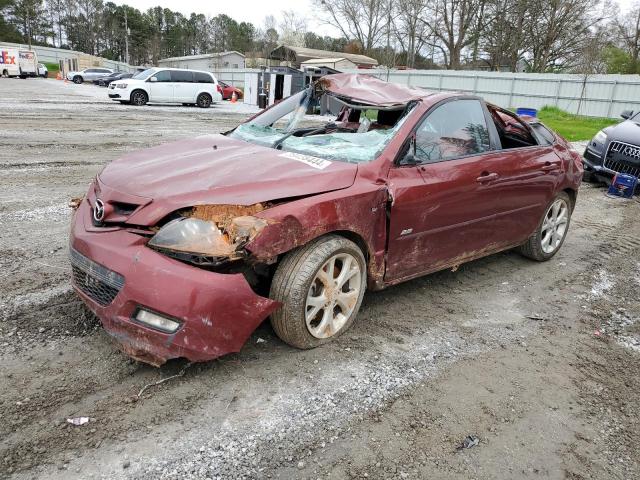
x=333, y=295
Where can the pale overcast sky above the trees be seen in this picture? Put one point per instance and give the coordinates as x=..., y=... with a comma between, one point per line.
x=254, y=11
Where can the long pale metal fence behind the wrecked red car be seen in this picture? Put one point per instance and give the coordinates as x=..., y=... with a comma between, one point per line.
x=591, y=95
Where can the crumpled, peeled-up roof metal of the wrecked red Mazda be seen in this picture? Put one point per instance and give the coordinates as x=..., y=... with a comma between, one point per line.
x=369, y=90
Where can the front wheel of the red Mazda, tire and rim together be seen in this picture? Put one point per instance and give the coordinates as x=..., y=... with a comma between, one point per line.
x=298, y=280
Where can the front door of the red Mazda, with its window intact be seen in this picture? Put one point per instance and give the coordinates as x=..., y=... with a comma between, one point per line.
x=443, y=209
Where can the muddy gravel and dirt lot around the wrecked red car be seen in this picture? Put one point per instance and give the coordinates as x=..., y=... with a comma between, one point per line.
x=540, y=362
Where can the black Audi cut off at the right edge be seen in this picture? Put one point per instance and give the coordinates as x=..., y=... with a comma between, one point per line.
x=614, y=149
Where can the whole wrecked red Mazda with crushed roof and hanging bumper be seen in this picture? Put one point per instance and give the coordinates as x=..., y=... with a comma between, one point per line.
x=182, y=250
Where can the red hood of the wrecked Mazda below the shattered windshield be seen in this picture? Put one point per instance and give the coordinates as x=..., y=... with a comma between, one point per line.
x=214, y=169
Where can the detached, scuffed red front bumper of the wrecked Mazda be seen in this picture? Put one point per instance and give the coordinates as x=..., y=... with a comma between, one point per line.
x=218, y=312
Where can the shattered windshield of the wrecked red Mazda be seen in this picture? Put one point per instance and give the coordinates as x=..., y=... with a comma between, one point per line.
x=356, y=135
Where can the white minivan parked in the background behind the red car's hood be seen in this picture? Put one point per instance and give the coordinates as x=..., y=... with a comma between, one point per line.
x=167, y=85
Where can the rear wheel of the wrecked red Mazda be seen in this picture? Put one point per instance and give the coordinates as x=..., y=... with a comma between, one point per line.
x=535, y=248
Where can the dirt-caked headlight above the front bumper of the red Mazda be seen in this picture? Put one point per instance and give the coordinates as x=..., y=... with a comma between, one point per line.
x=204, y=237
